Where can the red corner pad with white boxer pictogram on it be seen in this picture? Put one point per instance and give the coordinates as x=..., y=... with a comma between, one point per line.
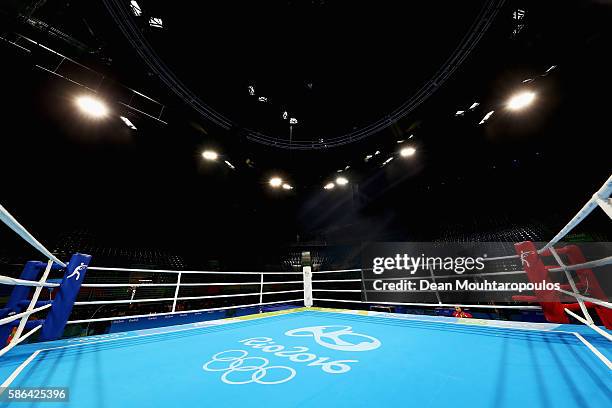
x=536, y=272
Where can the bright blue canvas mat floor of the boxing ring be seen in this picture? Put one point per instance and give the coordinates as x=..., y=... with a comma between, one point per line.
x=359, y=359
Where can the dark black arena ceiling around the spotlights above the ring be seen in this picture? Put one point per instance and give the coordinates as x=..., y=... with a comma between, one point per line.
x=334, y=66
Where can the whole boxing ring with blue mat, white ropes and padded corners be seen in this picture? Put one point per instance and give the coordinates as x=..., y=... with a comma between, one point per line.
x=307, y=355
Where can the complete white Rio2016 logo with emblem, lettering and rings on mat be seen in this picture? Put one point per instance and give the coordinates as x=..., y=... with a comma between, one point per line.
x=237, y=362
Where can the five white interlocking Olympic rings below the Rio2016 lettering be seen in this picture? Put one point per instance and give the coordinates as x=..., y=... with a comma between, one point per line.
x=234, y=362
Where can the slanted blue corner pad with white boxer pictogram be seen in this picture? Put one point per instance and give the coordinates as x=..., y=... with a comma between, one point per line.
x=54, y=324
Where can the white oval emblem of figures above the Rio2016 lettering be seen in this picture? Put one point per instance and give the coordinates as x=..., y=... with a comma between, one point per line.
x=332, y=337
